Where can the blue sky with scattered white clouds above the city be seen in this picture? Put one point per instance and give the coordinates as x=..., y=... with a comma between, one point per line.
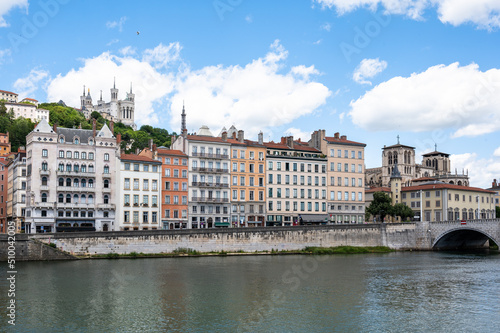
x=427, y=71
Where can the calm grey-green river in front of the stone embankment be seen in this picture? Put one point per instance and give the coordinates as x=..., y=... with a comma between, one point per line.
x=394, y=292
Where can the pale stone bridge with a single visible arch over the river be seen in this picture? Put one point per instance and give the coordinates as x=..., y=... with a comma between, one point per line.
x=448, y=235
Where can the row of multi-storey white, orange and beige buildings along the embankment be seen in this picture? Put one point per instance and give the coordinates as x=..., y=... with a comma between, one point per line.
x=75, y=179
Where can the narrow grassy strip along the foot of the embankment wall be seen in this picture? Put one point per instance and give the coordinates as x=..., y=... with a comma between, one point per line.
x=187, y=252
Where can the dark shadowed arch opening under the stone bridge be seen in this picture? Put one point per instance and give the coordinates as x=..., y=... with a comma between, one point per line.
x=462, y=238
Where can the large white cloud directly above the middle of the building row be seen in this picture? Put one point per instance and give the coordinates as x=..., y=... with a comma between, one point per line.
x=253, y=97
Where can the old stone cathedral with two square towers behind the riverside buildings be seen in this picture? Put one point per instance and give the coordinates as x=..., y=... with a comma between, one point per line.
x=435, y=166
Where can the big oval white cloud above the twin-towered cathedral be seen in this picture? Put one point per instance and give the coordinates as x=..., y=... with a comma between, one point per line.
x=455, y=97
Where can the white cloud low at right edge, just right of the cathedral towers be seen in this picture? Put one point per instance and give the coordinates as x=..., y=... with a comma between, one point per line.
x=482, y=171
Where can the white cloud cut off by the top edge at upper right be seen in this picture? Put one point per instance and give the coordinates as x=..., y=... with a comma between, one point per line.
x=482, y=13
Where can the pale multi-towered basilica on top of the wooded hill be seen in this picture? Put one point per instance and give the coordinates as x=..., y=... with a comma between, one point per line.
x=116, y=110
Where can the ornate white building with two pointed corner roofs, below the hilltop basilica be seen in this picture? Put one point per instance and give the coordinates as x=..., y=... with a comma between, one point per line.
x=70, y=179
